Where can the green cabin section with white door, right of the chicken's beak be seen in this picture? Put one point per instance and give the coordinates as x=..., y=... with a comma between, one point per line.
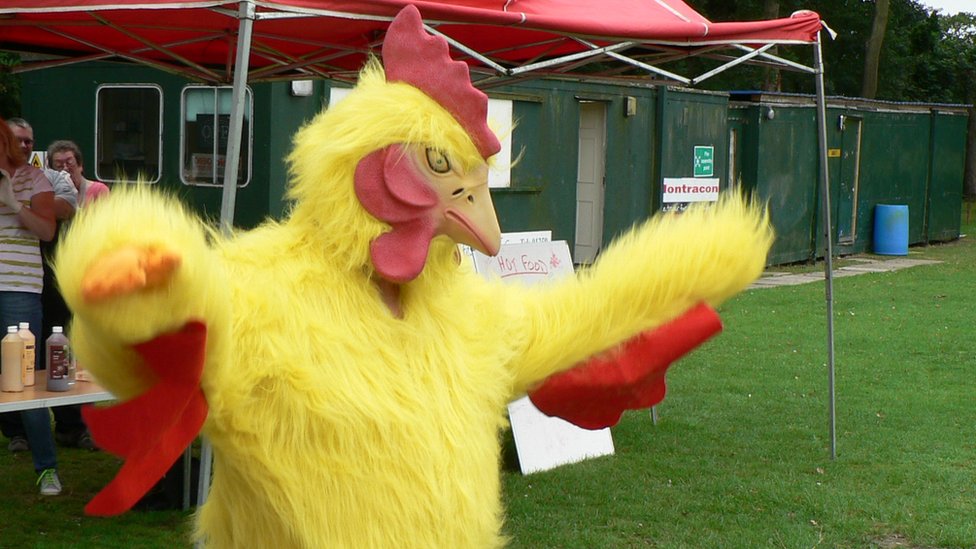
x=584, y=165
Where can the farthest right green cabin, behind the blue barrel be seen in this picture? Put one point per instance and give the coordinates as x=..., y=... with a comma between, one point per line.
x=878, y=153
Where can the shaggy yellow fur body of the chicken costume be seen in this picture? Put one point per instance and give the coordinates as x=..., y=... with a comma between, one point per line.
x=334, y=424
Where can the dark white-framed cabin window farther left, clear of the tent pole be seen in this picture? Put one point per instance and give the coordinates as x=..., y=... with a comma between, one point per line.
x=128, y=132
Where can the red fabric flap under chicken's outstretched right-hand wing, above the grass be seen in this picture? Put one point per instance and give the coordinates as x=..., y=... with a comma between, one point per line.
x=595, y=394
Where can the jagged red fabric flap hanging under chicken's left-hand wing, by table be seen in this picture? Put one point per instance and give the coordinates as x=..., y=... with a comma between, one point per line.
x=152, y=430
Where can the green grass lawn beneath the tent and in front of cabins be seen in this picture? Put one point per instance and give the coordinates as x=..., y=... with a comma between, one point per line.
x=740, y=456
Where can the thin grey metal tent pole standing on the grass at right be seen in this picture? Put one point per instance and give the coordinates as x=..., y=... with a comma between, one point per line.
x=828, y=235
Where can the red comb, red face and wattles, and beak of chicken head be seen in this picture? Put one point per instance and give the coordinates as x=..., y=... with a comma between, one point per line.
x=417, y=189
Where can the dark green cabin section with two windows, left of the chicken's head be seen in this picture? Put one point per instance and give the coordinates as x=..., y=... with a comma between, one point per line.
x=135, y=122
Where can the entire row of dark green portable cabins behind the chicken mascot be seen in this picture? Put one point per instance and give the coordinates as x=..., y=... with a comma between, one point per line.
x=588, y=158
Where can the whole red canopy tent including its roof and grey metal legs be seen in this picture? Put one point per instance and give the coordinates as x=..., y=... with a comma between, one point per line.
x=241, y=41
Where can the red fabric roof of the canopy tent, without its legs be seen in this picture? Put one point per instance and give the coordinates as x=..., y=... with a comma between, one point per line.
x=328, y=38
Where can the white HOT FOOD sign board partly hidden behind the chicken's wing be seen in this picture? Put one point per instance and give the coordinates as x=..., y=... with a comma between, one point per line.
x=542, y=442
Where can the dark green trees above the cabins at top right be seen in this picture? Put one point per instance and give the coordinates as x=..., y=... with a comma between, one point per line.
x=927, y=56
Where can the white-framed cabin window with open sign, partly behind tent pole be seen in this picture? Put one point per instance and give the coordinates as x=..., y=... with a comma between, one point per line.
x=206, y=125
